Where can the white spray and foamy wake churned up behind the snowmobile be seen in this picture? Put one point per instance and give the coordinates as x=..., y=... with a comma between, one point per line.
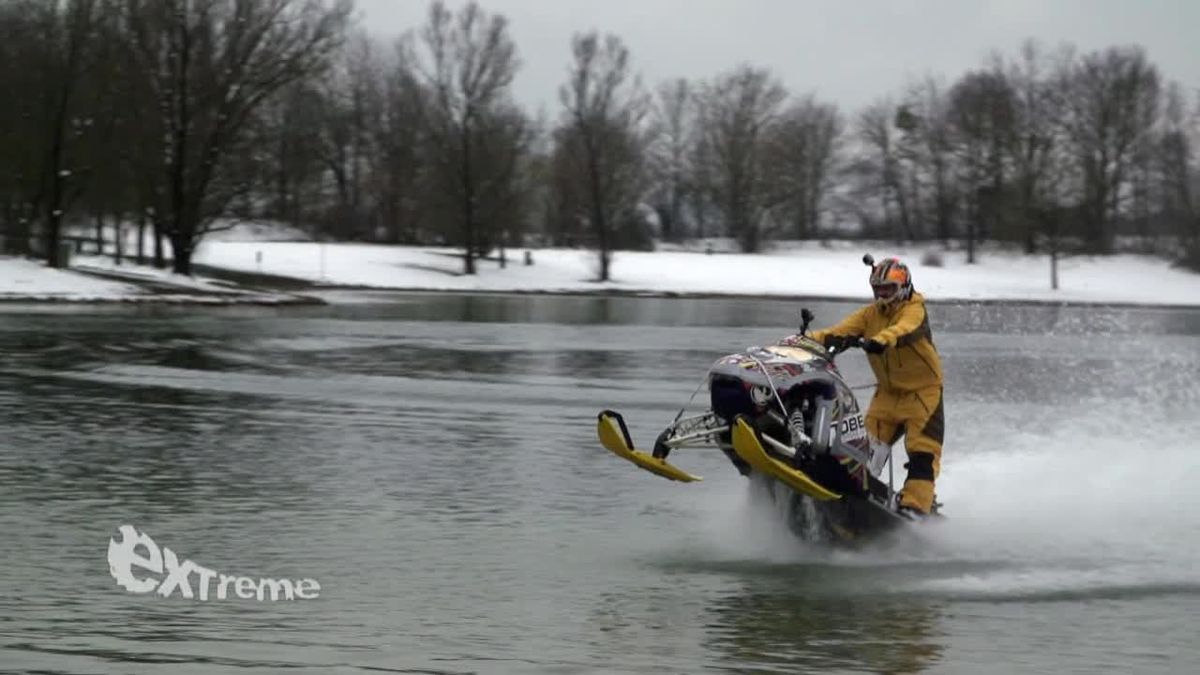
x=1102, y=505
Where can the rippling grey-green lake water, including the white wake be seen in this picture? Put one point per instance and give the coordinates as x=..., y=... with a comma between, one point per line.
x=431, y=462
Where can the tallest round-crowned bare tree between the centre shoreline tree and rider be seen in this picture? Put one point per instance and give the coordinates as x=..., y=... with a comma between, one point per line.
x=736, y=115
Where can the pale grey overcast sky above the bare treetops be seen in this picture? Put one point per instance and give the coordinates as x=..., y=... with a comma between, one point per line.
x=847, y=51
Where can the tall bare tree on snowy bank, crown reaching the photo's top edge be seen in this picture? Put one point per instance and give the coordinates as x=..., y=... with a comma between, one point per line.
x=469, y=64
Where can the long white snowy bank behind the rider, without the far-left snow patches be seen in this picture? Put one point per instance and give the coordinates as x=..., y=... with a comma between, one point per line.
x=833, y=271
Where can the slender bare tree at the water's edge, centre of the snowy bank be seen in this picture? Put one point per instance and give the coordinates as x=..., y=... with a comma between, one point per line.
x=604, y=114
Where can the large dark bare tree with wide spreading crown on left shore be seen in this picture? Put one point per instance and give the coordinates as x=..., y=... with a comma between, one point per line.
x=203, y=69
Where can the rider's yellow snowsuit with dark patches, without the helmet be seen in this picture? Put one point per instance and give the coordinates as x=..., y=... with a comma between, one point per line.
x=909, y=397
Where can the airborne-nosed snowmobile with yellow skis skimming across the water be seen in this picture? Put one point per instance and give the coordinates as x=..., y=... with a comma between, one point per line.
x=785, y=413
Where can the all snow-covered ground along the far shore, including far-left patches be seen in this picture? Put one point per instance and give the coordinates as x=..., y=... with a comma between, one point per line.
x=790, y=270
